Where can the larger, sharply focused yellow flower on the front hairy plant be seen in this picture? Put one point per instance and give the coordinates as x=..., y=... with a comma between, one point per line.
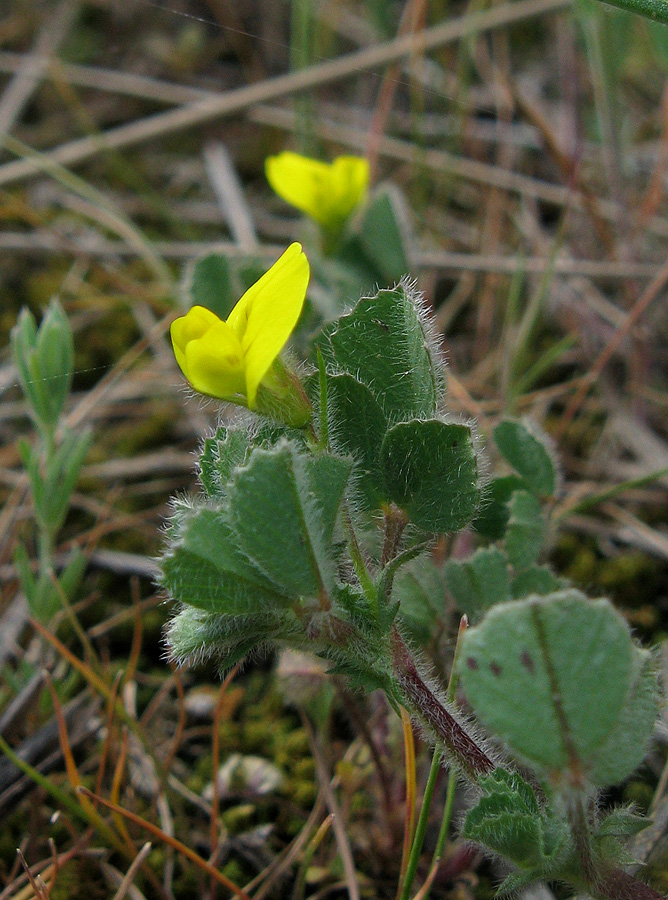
x=232, y=360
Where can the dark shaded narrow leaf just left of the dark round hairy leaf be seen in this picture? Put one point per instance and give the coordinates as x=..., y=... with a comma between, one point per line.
x=357, y=427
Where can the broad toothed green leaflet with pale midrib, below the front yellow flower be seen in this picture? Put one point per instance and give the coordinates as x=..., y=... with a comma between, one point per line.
x=283, y=506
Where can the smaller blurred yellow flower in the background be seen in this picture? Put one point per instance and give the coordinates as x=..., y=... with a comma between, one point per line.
x=327, y=192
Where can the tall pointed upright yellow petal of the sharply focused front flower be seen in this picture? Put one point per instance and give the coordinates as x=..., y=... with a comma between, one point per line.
x=271, y=308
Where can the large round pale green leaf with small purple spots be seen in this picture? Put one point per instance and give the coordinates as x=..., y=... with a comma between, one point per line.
x=554, y=677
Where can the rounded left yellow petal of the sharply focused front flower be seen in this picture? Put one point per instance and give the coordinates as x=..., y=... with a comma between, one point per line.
x=209, y=354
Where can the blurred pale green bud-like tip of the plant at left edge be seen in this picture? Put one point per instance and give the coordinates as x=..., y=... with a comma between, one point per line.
x=44, y=359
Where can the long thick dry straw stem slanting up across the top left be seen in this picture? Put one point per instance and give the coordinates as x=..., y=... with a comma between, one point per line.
x=235, y=101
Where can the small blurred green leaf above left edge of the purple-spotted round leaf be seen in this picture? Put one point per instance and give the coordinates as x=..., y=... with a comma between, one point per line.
x=480, y=582
